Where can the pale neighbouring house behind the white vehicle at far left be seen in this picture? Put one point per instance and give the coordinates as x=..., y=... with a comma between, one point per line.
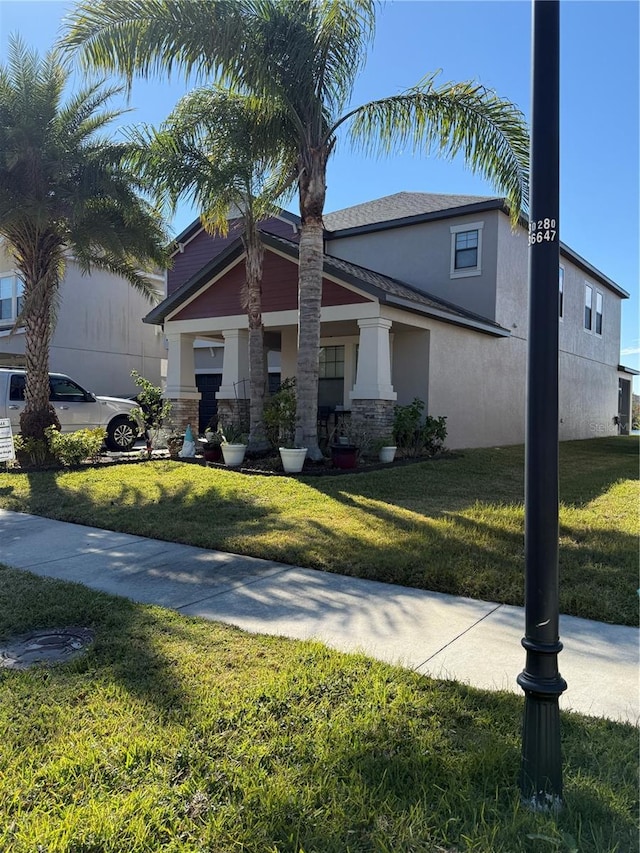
x=99, y=335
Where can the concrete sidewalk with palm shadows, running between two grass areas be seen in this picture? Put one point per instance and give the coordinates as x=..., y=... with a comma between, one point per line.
x=476, y=642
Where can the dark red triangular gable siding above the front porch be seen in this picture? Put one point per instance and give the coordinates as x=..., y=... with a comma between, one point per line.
x=279, y=292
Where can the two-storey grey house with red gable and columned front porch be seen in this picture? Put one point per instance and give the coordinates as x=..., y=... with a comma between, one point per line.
x=423, y=296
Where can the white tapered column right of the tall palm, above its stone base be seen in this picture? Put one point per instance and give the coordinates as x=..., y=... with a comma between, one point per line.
x=373, y=378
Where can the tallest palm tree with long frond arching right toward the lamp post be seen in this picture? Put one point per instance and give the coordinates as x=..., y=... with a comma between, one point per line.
x=303, y=56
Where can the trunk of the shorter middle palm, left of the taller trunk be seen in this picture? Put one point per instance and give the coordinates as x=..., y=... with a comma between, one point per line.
x=255, y=252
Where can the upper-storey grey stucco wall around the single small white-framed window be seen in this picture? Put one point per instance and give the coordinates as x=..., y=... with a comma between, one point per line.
x=421, y=256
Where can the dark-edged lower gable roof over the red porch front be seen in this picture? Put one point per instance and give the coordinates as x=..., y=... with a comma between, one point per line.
x=387, y=290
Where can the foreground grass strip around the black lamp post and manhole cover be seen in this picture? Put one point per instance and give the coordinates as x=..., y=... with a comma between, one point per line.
x=177, y=735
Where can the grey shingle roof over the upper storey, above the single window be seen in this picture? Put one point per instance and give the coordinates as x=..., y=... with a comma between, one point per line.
x=398, y=206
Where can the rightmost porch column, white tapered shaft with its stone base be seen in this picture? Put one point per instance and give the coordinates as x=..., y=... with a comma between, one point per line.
x=372, y=396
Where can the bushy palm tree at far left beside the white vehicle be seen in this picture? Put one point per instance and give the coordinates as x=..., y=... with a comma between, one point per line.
x=63, y=190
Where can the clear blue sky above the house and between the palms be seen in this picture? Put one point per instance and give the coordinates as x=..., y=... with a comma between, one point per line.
x=488, y=41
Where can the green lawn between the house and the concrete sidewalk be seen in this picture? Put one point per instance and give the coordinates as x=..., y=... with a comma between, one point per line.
x=452, y=525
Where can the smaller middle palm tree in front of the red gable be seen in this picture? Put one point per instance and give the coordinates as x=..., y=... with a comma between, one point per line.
x=217, y=150
